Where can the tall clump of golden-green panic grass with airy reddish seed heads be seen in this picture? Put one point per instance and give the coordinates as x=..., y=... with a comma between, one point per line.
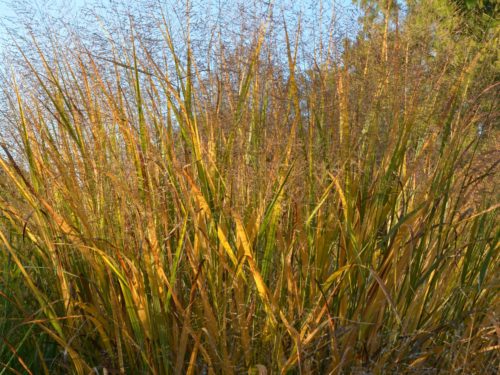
x=267, y=212
